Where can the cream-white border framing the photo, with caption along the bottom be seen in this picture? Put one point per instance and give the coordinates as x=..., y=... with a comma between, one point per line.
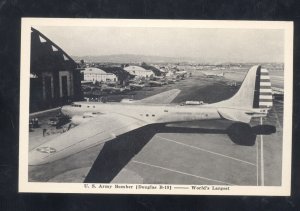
x=25, y=186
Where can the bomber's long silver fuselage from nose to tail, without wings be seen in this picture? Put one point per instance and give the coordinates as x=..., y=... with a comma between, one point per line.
x=148, y=113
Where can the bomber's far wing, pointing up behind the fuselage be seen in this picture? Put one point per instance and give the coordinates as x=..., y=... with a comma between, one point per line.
x=162, y=98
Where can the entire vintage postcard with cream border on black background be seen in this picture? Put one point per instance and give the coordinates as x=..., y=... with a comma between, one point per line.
x=156, y=106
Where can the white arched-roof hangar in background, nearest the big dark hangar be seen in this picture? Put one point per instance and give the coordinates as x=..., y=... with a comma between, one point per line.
x=96, y=74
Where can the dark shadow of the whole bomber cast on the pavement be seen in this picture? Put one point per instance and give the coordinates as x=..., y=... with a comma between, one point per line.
x=116, y=153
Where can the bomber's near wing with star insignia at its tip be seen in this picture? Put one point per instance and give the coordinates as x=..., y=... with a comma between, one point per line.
x=98, y=130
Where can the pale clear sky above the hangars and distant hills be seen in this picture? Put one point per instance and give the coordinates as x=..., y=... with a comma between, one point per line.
x=239, y=45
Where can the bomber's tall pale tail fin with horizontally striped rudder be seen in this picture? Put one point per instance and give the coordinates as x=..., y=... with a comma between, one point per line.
x=254, y=96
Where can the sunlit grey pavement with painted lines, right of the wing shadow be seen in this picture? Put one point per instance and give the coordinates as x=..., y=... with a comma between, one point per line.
x=207, y=159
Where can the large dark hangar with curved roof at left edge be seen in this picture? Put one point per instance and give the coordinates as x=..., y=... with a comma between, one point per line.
x=54, y=77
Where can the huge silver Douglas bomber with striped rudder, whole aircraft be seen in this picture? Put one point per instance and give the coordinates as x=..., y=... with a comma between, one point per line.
x=101, y=122
